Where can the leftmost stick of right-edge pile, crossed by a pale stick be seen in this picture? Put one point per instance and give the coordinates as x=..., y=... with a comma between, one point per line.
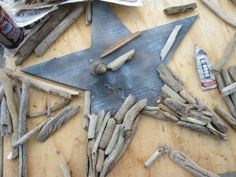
x=227, y=99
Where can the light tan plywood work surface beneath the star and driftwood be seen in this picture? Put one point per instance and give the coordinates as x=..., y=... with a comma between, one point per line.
x=69, y=143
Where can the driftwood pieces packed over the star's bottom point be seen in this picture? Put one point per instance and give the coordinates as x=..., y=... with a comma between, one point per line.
x=109, y=136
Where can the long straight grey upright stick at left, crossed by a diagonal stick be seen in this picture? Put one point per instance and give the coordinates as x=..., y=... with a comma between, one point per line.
x=22, y=129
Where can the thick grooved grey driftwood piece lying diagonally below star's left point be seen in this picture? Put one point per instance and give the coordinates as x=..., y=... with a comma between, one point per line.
x=52, y=125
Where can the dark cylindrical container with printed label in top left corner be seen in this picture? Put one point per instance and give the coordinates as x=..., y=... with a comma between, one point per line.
x=10, y=34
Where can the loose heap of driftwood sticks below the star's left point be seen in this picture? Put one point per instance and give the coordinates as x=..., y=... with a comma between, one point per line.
x=14, y=95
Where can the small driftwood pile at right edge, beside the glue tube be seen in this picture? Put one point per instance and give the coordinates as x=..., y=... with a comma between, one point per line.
x=226, y=80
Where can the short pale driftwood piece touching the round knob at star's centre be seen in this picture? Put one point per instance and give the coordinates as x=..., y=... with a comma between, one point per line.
x=118, y=62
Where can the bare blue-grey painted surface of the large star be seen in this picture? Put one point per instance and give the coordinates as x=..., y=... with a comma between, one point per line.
x=138, y=76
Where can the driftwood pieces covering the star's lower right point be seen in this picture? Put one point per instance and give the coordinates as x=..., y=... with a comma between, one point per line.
x=178, y=105
